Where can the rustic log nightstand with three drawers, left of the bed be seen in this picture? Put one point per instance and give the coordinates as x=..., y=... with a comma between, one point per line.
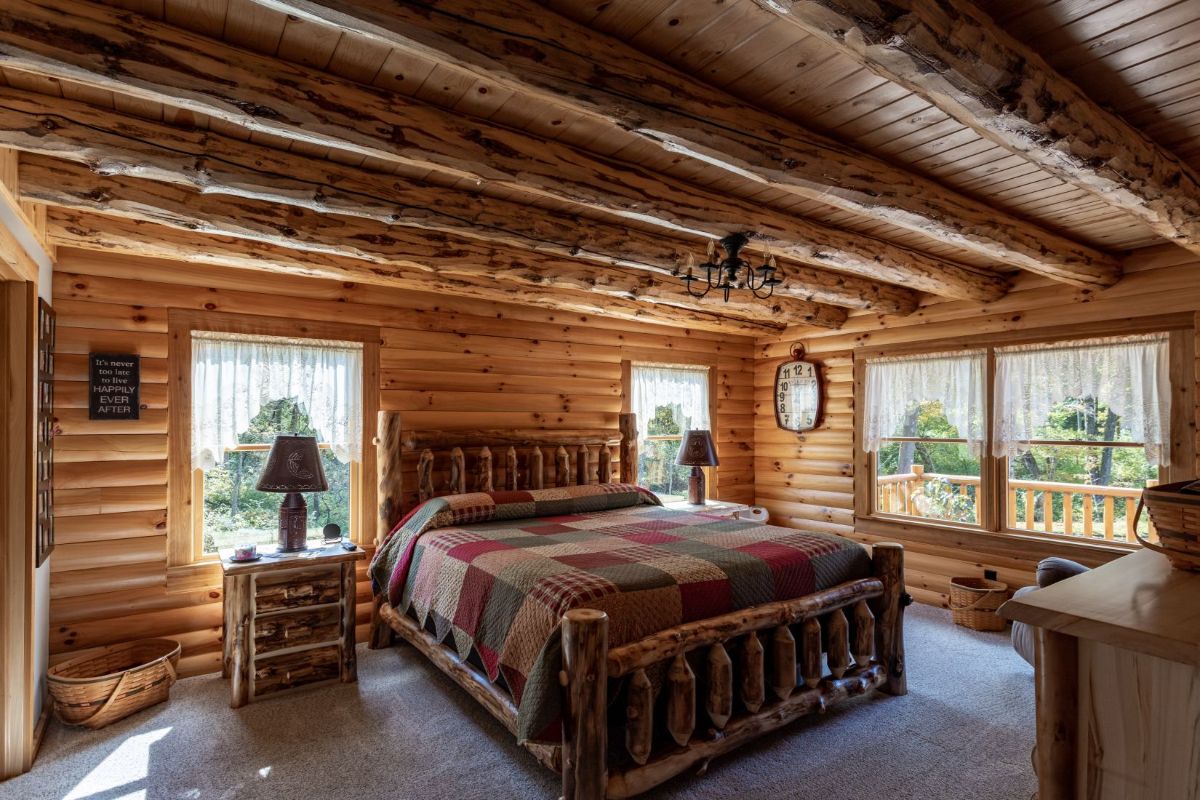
x=290, y=621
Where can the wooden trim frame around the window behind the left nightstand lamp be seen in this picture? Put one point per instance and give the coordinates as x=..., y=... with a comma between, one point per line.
x=185, y=544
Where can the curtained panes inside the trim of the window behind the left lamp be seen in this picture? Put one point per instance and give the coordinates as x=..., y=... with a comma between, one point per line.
x=247, y=390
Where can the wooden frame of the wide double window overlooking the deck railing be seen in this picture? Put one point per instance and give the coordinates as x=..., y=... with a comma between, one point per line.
x=994, y=514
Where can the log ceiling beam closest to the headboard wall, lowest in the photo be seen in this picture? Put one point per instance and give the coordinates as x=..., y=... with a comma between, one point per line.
x=125, y=237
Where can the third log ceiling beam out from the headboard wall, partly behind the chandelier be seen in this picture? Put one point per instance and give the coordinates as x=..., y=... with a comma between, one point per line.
x=113, y=145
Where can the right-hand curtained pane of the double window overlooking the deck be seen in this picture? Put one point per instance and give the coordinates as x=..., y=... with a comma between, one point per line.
x=1085, y=428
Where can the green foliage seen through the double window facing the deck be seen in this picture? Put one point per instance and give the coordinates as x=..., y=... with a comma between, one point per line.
x=1075, y=420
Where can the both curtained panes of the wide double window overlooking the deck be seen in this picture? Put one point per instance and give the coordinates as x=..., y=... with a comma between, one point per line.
x=1061, y=442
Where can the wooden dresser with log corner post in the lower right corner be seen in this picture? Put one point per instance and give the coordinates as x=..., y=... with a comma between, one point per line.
x=1118, y=682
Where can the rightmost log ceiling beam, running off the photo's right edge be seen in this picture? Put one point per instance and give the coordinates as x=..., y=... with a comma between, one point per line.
x=953, y=56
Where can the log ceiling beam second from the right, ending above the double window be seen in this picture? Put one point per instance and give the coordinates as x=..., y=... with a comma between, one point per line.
x=524, y=47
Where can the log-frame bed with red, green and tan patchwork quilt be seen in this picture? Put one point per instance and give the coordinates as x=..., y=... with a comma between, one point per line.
x=621, y=642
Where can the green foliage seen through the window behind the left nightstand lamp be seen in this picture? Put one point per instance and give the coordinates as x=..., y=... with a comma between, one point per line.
x=236, y=513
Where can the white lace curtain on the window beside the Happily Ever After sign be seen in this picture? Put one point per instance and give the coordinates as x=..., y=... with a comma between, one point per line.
x=233, y=377
